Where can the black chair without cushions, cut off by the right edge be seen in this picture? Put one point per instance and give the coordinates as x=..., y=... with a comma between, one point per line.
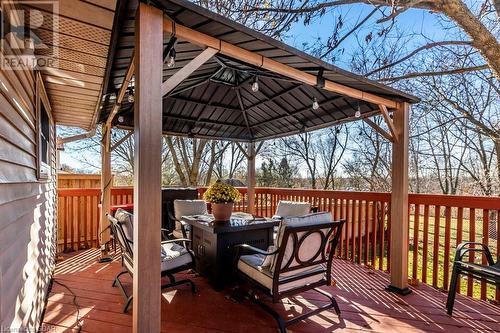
x=489, y=272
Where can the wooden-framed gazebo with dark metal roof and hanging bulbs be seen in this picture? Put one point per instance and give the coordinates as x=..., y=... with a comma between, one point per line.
x=175, y=68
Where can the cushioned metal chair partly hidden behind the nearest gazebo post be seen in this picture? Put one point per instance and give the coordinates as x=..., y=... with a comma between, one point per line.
x=174, y=257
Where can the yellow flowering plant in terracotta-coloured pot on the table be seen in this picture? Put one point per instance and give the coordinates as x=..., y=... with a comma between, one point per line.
x=222, y=197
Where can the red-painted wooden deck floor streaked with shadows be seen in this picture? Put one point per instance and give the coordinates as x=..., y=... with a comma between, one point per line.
x=364, y=303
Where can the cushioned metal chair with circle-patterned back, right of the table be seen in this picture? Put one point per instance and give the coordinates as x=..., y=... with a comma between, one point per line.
x=302, y=261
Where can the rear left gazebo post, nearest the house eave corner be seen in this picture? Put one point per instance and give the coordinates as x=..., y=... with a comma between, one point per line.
x=106, y=184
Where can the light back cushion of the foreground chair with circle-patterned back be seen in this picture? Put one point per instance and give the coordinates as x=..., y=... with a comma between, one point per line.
x=309, y=242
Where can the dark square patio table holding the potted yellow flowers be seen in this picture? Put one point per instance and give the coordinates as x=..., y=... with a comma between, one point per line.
x=213, y=242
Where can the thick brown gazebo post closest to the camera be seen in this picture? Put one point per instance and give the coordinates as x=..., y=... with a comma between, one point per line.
x=147, y=169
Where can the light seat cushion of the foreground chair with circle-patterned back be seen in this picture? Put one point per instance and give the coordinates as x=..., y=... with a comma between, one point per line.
x=250, y=265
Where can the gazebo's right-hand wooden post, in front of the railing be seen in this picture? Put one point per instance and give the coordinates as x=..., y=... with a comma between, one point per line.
x=399, y=202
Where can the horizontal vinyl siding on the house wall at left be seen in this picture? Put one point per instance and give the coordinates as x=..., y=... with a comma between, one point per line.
x=27, y=207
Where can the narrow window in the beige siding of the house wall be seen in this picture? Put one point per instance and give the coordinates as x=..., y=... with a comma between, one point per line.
x=43, y=130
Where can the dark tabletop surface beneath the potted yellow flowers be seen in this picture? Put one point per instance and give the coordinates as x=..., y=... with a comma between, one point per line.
x=238, y=222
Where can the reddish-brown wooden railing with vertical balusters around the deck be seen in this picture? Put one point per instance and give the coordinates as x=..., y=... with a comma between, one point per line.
x=437, y=224
